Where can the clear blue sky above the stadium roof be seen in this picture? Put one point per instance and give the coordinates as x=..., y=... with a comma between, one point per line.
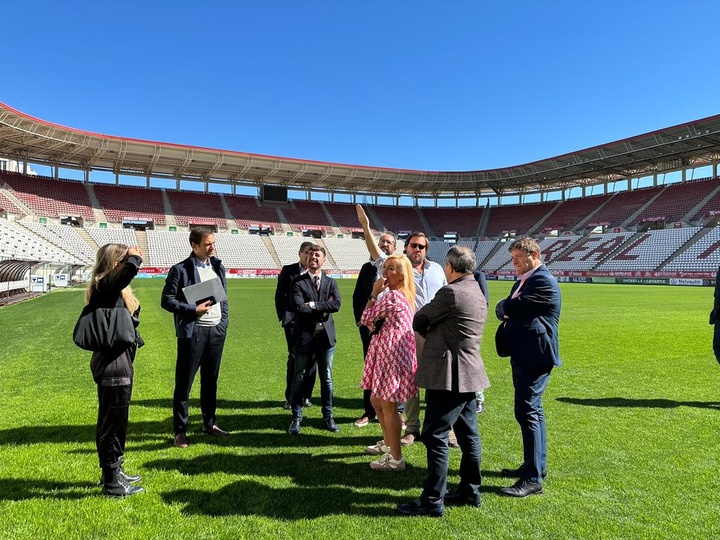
x=418, y=85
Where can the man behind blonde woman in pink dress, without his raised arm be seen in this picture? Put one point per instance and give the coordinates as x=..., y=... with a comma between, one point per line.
x=363, y=289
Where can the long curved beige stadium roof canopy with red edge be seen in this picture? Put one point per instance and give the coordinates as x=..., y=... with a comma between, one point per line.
x=25, y=138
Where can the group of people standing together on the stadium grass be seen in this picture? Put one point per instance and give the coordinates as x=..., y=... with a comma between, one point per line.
x=421, y=326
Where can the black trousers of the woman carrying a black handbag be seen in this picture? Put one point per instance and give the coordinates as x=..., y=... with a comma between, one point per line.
x=113, y=374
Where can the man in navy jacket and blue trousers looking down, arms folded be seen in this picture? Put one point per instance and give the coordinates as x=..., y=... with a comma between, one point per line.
x=531, y=314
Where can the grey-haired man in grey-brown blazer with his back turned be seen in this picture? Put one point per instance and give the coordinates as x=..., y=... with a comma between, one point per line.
x=451, y=371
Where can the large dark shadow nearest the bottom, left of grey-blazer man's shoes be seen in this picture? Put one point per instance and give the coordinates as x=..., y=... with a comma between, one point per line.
x=245, y=497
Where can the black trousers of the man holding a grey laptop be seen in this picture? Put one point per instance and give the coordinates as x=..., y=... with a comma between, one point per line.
x=202, y=351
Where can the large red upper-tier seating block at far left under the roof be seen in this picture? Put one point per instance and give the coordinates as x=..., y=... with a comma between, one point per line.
x=48, y=197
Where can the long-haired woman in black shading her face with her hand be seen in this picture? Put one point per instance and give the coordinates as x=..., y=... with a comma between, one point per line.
x=115, y=267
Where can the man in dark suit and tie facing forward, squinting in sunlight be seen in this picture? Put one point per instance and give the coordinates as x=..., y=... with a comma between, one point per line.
x=315, y=298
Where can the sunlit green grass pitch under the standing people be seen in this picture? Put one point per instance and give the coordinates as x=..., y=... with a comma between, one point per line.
x=633, y=418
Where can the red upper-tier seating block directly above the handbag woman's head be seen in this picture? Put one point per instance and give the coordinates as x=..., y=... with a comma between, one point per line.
x=122, y=202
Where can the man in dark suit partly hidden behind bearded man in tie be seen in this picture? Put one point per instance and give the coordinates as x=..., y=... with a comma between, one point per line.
x=286, y=316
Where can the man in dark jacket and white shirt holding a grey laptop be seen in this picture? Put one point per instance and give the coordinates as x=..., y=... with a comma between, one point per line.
x=200, y=329
